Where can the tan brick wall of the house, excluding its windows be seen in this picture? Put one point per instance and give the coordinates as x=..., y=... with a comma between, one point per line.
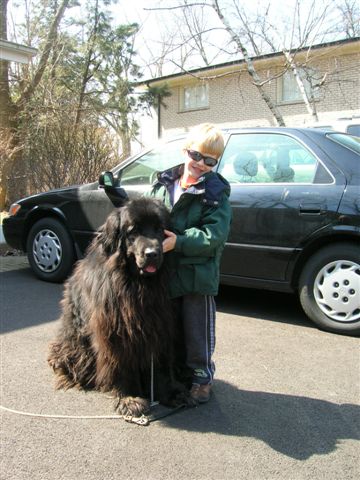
x=235, y=101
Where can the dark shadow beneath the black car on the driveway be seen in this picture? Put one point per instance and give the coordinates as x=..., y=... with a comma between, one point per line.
x=22, y=292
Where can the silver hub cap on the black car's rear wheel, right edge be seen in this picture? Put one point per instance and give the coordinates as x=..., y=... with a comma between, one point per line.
x=337, y=290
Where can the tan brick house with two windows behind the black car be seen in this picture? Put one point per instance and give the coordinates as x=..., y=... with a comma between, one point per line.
x=225, y=95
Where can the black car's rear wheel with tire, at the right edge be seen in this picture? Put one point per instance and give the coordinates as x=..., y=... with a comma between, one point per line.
x=329, y=288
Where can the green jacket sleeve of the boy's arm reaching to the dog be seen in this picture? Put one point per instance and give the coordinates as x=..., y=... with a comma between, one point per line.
x=213, y=232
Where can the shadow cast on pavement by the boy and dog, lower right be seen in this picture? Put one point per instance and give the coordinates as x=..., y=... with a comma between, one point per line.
x=295, y=426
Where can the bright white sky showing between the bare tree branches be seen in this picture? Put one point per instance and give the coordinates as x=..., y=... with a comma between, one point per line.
x=156, y=25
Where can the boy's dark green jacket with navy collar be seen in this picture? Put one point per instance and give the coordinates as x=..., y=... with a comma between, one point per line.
x=201, y=220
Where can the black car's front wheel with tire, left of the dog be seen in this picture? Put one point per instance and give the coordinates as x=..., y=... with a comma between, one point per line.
x=50, y=250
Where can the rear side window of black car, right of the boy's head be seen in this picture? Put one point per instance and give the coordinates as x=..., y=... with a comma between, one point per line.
x=270, y=158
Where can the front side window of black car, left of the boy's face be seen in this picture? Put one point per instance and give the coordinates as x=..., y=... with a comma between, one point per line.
x=143, y=170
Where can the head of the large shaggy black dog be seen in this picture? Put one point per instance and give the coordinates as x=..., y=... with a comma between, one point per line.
x=137, y=231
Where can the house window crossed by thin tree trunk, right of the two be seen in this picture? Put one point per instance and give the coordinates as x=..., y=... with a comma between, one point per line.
x=290, y=91
